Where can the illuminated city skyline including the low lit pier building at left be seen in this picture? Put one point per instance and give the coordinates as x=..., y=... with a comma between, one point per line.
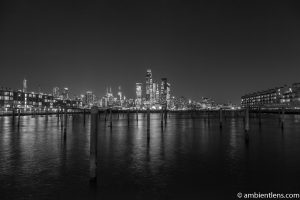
x=154, y=94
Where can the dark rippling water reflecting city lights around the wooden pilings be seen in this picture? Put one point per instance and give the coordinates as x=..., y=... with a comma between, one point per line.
x=189, y=159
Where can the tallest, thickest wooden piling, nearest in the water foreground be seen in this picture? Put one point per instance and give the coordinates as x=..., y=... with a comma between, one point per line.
x=93, y=145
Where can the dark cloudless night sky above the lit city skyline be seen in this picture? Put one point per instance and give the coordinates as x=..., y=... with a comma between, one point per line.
x=214, y=49
